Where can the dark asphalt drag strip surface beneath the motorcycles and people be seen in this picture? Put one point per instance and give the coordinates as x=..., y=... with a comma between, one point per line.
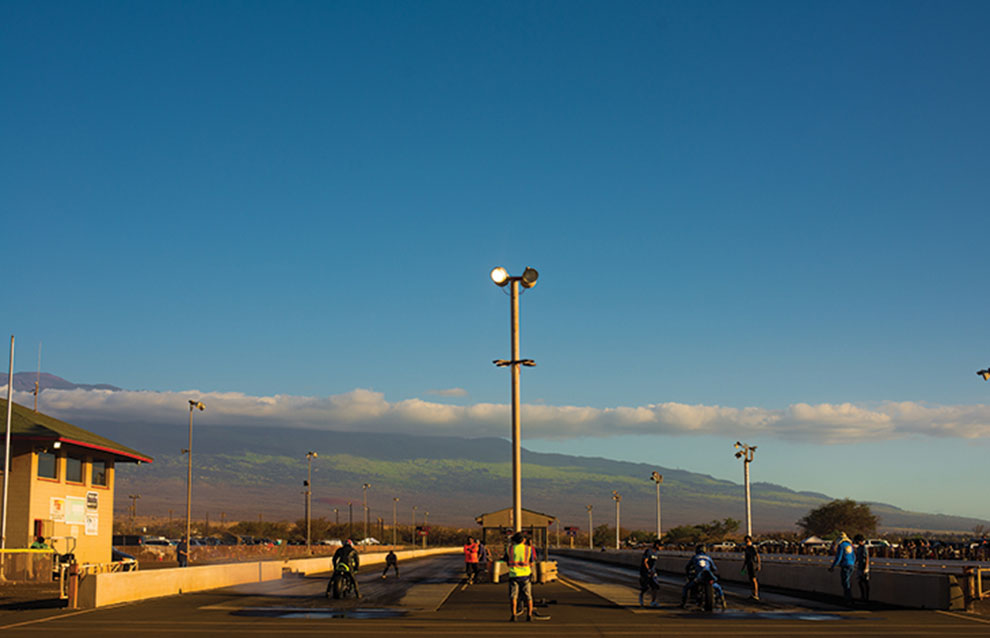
x=431, y=599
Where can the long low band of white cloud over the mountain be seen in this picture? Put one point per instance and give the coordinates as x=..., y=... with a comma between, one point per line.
x=362, y=409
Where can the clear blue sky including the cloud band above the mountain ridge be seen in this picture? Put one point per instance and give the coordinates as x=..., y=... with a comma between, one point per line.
x=732, y=205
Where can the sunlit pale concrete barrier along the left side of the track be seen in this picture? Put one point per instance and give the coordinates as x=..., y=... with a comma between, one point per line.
x=98, y=590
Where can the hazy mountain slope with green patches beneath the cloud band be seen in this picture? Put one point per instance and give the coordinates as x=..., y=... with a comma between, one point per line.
x=245, y=472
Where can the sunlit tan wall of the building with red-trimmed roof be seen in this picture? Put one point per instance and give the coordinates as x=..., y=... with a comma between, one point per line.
x=82, y=511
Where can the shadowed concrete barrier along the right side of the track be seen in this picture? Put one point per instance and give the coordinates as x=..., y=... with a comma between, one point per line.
x=905, y=589
